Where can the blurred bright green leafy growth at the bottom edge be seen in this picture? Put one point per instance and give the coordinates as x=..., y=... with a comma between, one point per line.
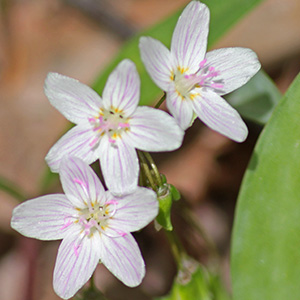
x=195, y=282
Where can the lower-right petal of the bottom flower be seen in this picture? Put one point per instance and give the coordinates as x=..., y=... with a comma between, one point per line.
x=123, y=258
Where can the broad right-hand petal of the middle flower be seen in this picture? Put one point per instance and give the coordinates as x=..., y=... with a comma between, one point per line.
x=154, y=130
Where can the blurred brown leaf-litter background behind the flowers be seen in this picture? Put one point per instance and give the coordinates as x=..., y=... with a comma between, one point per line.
x=78, y=38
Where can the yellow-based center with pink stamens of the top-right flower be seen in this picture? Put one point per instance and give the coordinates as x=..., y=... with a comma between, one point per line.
x=205, y=77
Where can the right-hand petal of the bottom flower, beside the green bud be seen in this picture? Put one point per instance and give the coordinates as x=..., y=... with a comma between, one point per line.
x=134, y=211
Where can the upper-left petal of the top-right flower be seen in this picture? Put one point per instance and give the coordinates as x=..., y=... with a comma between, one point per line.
x=157, y=60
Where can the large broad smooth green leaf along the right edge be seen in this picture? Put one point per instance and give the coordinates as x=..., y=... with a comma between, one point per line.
x=266, y=238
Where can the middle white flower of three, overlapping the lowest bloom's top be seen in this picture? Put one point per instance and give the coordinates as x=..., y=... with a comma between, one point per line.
x=110, y=128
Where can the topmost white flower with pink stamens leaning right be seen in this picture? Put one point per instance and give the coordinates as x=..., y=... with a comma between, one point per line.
x=195, y=81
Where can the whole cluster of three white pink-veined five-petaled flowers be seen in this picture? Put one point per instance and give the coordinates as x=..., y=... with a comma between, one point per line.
x=94, y=224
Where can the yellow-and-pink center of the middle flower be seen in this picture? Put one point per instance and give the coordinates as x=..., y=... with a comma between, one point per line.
x=111, y=122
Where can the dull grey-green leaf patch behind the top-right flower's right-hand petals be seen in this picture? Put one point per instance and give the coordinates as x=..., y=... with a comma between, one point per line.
x=257, y=99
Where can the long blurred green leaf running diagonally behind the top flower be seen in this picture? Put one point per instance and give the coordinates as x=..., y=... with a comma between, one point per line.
x=224, y=14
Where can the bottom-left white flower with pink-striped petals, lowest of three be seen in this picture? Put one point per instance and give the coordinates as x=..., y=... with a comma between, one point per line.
x=93, y=225
